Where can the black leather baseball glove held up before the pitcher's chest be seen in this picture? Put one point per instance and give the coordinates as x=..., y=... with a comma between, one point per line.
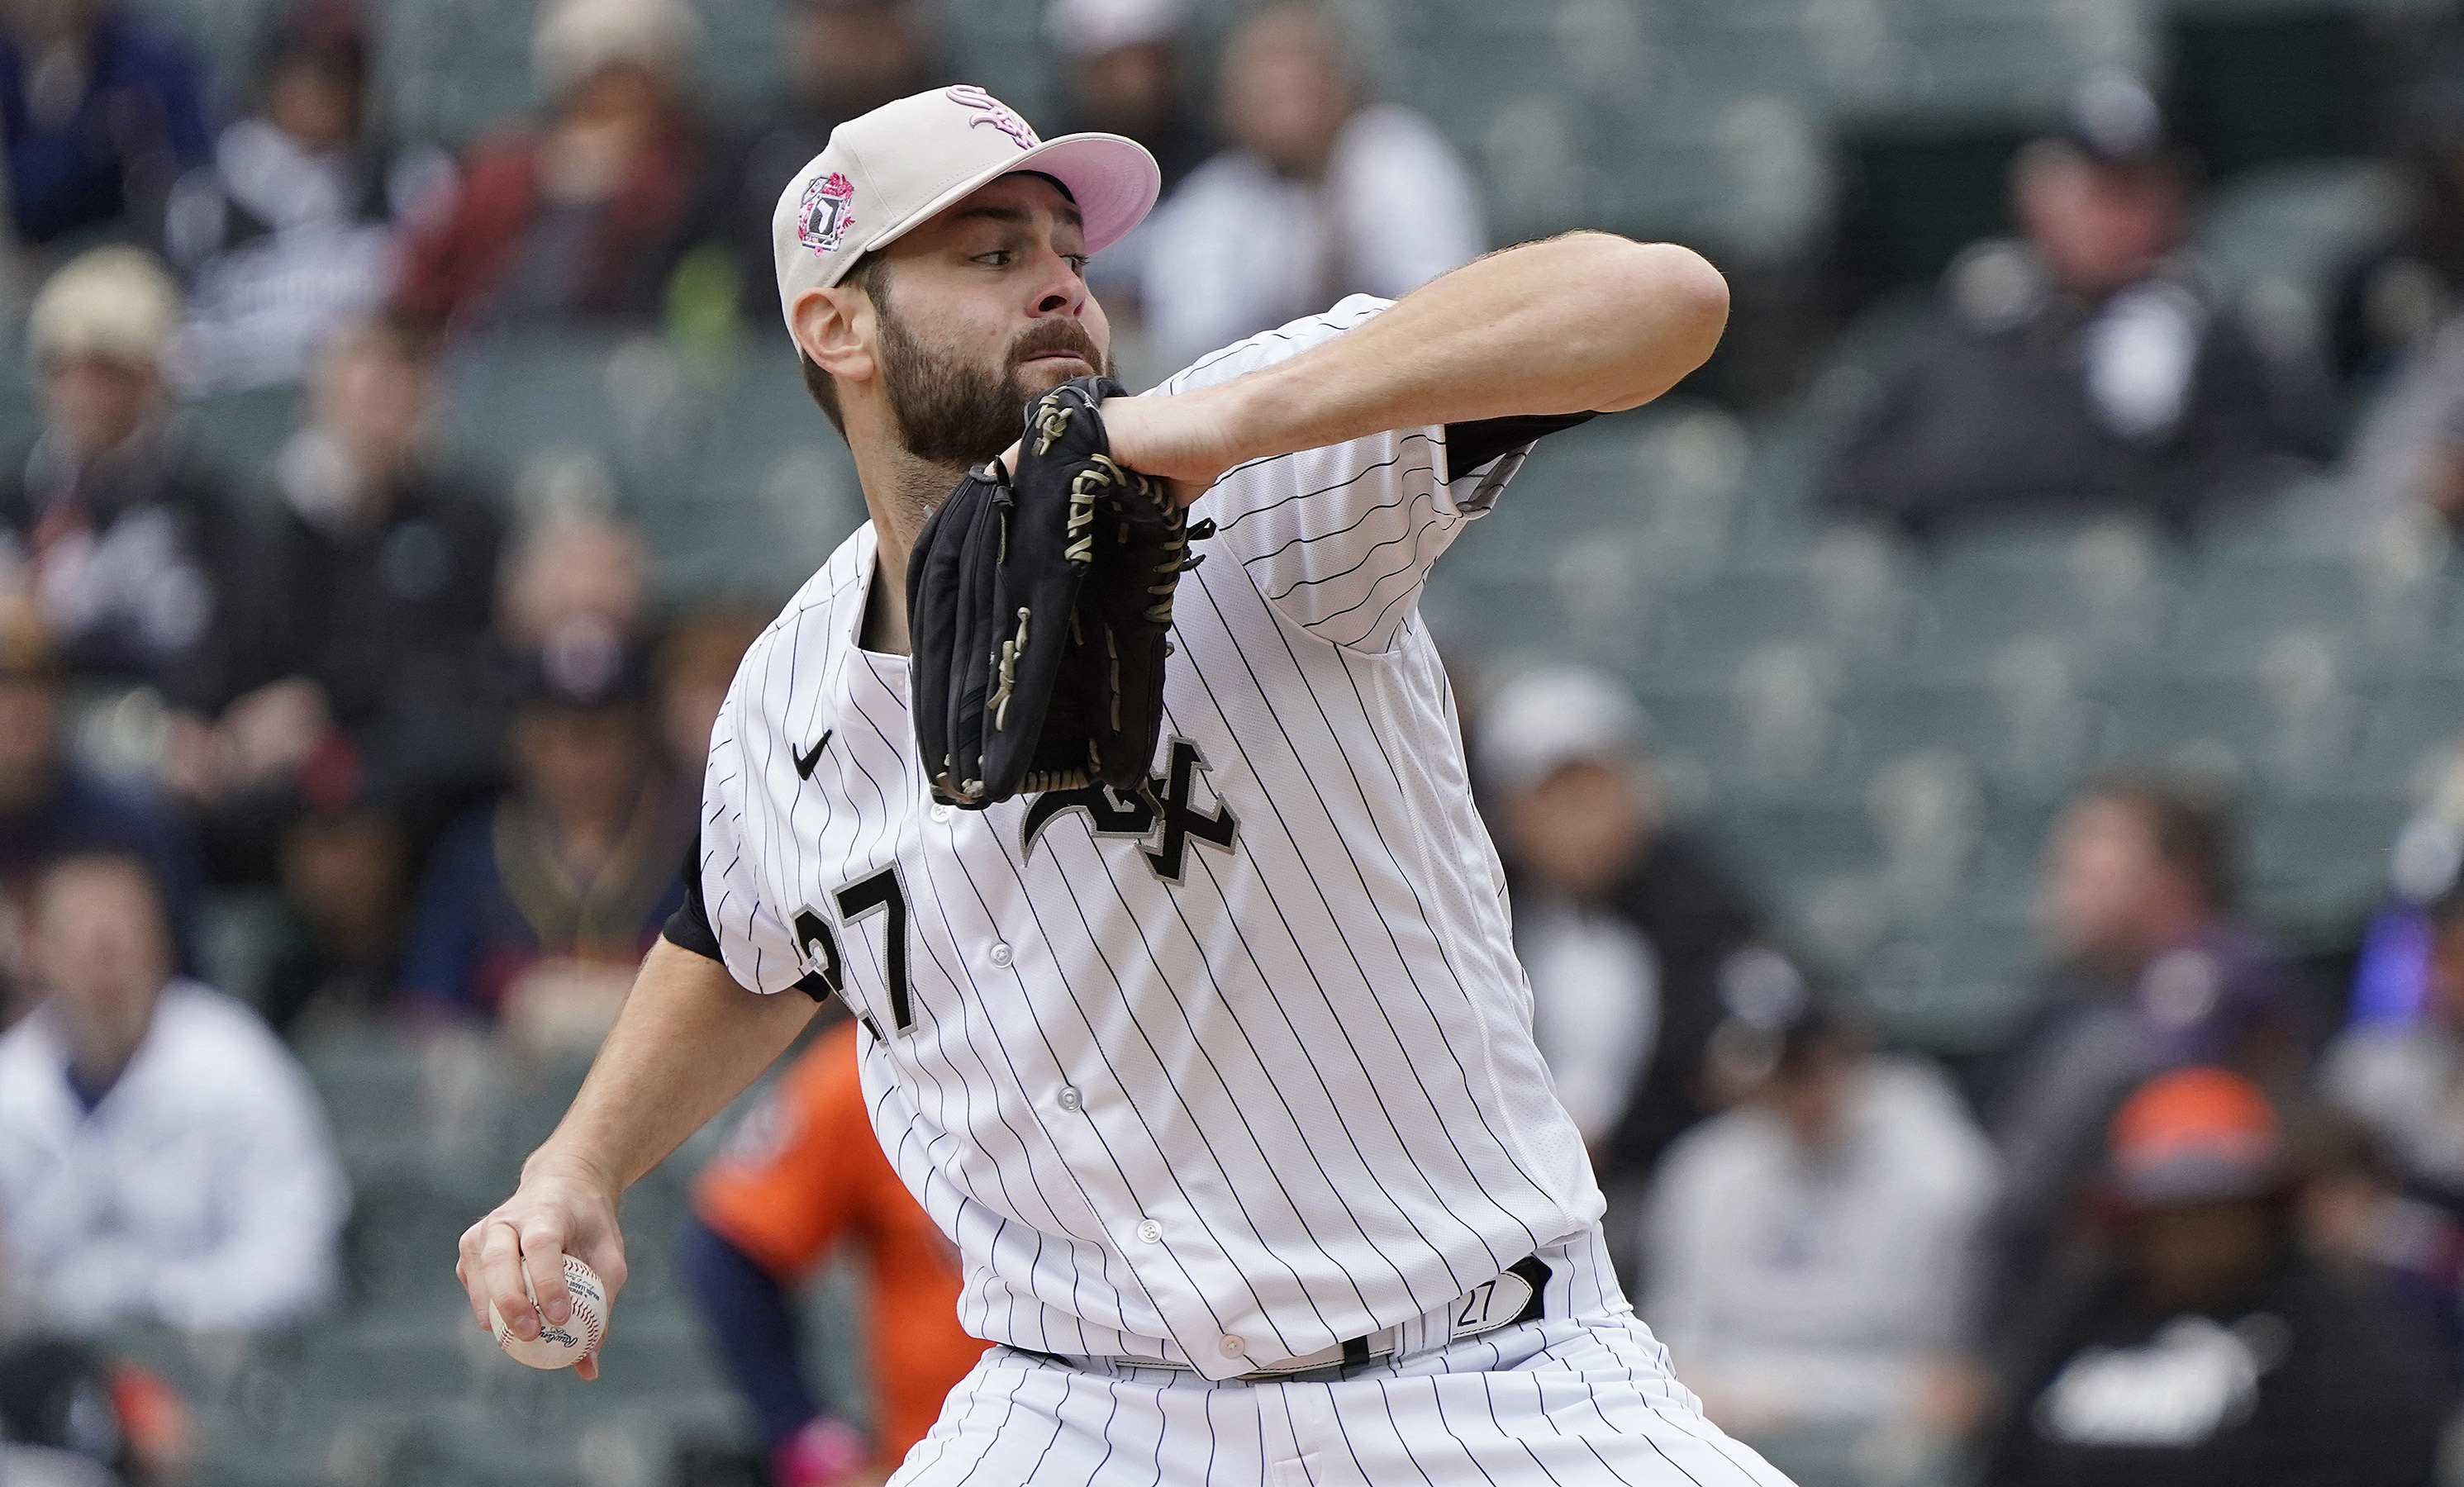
x=1039, y=607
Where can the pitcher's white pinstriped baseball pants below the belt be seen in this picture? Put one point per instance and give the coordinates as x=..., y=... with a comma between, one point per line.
x=1581, y=1400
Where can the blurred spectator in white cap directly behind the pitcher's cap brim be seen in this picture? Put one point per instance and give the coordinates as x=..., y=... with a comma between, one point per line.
x=1125, y=78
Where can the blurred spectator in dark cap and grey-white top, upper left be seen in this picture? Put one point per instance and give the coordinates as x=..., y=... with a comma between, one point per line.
x=290, y=230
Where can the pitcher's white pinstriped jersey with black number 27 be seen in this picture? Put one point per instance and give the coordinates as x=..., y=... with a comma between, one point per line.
x=1226, y=1080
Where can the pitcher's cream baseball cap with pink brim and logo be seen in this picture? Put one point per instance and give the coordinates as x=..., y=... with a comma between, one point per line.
x=888, y=171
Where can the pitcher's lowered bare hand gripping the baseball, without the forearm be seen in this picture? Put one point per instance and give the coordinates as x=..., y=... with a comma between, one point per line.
x=558, y=1212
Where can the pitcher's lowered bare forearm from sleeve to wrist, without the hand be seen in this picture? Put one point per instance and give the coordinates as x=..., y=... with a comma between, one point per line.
x=689, y=1043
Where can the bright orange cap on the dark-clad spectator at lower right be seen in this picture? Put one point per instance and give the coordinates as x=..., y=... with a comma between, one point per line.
x=2194, y=1136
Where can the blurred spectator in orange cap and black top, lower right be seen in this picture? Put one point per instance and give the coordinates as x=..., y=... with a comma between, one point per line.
x=2216, y=1350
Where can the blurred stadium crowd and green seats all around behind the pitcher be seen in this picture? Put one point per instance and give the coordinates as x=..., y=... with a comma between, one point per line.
x=1982, y=764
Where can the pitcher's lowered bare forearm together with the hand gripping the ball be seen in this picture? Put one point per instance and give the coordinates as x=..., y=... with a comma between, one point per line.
x=689, y=1043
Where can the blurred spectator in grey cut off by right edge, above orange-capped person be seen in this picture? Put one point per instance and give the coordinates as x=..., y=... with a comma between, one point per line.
x=2406, y=1080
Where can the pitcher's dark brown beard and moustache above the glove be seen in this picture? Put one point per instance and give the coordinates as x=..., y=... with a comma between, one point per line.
x=955, y=410
